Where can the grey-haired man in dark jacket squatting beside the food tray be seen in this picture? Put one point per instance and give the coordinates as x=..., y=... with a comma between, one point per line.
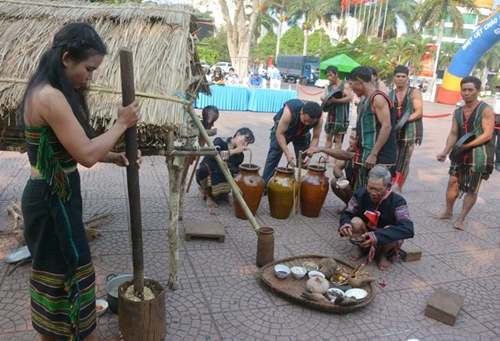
x=381, y=216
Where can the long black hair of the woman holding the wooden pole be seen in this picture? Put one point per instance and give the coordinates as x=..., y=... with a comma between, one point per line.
x=81, y=41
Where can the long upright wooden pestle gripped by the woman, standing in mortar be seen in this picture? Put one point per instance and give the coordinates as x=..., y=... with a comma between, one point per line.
x=134, y=195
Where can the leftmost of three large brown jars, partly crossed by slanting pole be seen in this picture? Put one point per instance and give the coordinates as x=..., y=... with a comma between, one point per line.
x=251, y=185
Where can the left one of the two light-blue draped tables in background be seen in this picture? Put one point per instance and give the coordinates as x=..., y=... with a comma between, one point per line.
x=224, y=98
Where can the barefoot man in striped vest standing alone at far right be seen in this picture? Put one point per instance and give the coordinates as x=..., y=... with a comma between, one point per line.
x=477, y=164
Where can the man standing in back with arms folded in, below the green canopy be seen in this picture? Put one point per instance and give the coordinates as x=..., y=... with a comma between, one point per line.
x=338, y=117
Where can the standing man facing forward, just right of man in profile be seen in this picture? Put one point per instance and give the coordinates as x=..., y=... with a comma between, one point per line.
x=406, y=98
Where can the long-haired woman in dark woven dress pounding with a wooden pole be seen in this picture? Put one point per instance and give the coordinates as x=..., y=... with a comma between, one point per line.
x=54, y=114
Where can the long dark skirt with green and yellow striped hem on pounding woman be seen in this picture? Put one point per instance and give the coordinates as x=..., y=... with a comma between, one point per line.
x=62, y=281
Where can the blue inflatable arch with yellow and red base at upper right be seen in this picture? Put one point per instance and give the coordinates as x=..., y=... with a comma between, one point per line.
x=481, y=40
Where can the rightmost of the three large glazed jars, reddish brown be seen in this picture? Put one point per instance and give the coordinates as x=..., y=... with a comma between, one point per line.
x=313, y=190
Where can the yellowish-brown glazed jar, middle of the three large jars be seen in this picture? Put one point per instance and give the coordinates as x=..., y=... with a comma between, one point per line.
x=281, y=192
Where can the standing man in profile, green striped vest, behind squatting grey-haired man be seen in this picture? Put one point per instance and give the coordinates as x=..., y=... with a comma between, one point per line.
x=376, y=143
